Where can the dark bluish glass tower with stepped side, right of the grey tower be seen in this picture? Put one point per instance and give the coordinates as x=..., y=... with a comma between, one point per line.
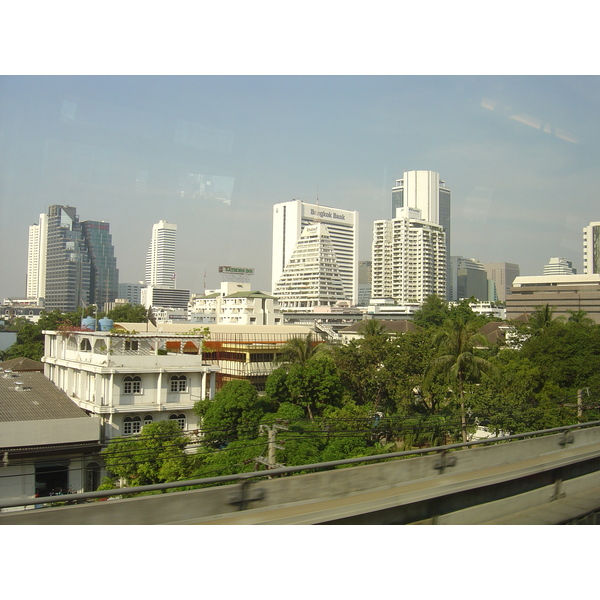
x=104, y=278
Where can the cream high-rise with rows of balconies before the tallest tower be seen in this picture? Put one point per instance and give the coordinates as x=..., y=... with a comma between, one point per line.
x=409, y=258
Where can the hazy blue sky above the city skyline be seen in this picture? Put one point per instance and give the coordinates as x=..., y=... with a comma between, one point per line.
x=212, y=154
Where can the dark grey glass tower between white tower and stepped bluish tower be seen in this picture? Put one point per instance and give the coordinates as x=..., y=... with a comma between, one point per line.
x=68, y=262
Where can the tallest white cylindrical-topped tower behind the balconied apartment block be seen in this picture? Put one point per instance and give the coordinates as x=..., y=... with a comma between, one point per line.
x=425, y=191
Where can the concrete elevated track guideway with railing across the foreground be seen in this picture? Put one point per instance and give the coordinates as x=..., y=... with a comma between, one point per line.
x=545, y=477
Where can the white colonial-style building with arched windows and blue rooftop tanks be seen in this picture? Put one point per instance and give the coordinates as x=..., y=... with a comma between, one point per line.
x=130, y=379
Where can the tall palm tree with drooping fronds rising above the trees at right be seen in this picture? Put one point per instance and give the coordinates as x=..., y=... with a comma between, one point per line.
x=455, y=343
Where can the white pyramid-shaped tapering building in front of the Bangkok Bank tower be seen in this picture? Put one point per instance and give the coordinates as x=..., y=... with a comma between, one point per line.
x=311, y=276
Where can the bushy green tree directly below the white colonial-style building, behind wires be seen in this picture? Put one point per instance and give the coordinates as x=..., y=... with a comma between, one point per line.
x=155, y=455
